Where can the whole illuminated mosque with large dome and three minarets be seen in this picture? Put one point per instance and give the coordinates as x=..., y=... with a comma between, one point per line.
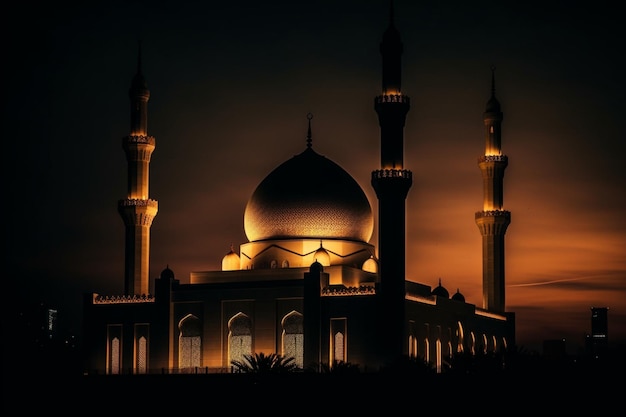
x=308, y=284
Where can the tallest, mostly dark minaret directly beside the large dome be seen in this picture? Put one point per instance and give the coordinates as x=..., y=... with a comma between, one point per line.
x=391, y=183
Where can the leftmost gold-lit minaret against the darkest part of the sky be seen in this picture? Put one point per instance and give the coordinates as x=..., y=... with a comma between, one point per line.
x=137, y=209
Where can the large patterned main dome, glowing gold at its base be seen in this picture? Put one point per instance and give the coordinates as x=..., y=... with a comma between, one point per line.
x=308, y=196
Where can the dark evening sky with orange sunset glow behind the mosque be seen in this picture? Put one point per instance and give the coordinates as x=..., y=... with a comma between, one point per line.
x=232, y=83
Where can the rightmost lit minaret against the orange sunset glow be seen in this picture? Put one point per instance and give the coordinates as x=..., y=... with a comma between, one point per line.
x=493, y=221
